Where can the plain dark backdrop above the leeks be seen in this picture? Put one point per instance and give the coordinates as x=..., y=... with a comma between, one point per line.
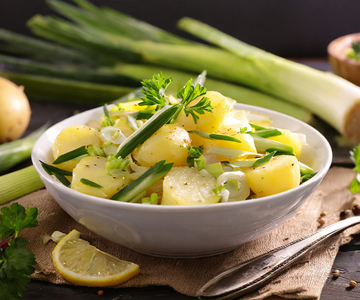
x=290, y=28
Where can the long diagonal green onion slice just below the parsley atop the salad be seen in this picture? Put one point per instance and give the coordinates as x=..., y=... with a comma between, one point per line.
x=159, y=119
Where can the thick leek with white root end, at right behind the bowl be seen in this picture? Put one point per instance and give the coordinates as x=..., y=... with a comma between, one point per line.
x=332, y=98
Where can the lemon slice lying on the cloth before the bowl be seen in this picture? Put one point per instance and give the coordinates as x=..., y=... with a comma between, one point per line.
x=83, y=264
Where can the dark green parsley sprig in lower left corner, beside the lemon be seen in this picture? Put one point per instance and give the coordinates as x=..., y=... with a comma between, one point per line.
x=16, y=263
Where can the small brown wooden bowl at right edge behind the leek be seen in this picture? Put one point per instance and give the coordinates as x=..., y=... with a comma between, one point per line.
x=342, y=65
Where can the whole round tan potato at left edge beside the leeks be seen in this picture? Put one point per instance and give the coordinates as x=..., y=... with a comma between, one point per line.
x=15, y=111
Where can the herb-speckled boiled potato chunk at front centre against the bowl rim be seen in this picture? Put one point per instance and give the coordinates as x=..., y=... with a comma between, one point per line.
x=186, y=186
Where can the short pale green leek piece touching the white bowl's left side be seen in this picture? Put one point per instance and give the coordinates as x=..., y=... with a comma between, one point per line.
x=27, y=181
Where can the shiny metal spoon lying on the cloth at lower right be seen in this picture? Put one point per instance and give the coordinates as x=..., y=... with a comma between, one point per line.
x=253, y=273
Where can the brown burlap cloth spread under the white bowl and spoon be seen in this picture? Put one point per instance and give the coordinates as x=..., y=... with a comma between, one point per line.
x=304, y=280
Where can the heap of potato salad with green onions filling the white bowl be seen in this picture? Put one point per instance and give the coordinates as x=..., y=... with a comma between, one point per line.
x=192, y=148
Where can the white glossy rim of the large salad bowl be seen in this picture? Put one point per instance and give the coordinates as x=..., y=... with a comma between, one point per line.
x=192, y=208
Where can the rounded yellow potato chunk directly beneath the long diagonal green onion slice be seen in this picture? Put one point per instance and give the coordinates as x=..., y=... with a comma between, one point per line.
x=169, y=143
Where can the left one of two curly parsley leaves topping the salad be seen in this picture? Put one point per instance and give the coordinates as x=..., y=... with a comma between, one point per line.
x=154, y=91
